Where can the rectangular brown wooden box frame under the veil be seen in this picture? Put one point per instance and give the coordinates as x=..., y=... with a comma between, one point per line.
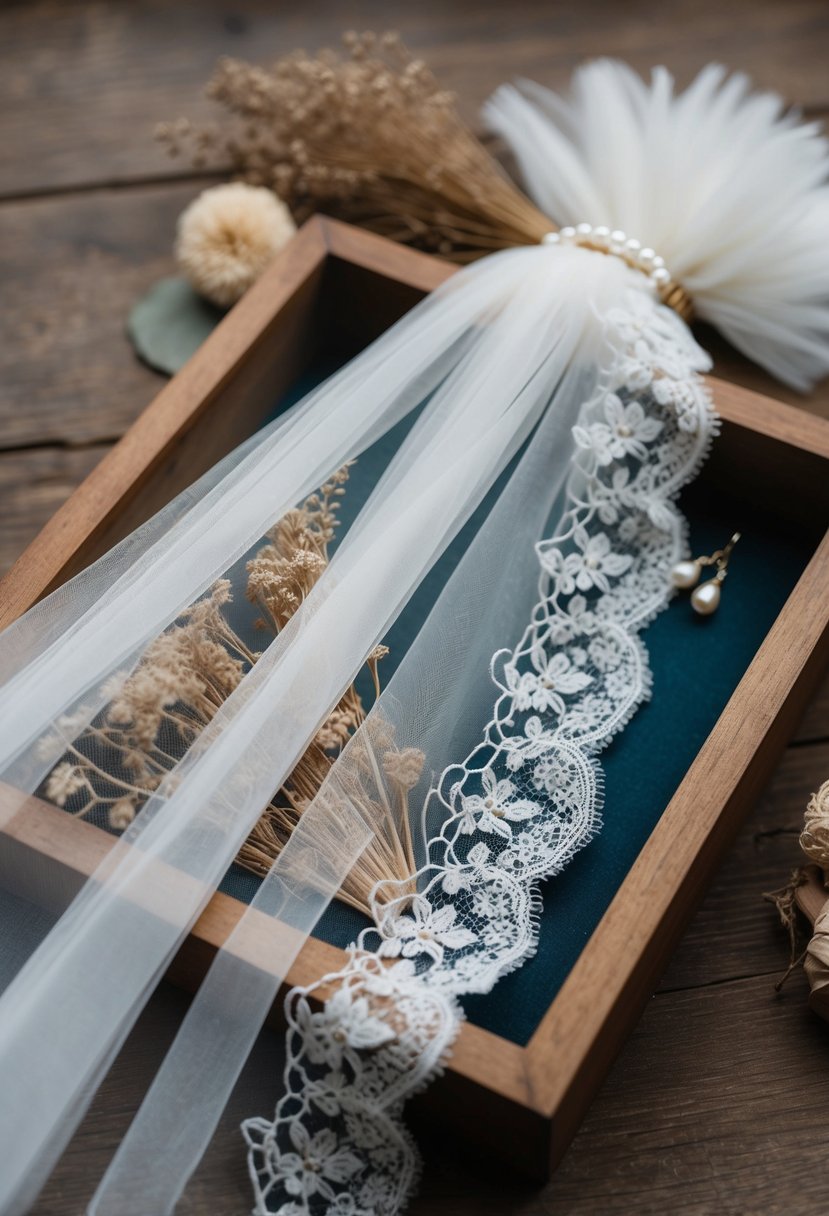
x=326, y=296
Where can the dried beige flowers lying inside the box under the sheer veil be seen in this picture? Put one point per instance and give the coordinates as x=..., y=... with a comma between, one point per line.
x=155, y=713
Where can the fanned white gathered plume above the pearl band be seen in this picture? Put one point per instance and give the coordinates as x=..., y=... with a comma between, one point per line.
x=723, y=183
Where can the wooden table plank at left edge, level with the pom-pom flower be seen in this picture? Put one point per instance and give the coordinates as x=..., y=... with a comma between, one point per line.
x=71, y=271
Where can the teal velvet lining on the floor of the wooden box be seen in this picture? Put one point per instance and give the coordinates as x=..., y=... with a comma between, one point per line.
x=697, y=663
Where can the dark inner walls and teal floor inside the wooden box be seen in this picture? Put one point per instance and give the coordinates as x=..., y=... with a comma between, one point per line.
x=771, y=492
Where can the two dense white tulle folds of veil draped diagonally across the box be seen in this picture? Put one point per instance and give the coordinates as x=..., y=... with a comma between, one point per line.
x=489, y=380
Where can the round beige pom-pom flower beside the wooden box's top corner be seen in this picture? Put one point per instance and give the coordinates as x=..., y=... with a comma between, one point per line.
x=228, y=237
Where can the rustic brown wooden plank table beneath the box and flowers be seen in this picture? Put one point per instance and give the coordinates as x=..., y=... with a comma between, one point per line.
x=718, y=1104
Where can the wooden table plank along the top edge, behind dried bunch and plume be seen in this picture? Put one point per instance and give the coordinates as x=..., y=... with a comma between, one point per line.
x=80, y=105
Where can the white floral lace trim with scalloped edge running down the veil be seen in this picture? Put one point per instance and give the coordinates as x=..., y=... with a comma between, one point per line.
x=516, y=810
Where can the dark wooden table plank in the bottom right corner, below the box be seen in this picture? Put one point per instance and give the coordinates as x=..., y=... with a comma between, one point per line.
x=717, y=1106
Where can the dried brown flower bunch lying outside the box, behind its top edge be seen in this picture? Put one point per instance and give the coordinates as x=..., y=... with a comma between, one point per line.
x=369, y=137
